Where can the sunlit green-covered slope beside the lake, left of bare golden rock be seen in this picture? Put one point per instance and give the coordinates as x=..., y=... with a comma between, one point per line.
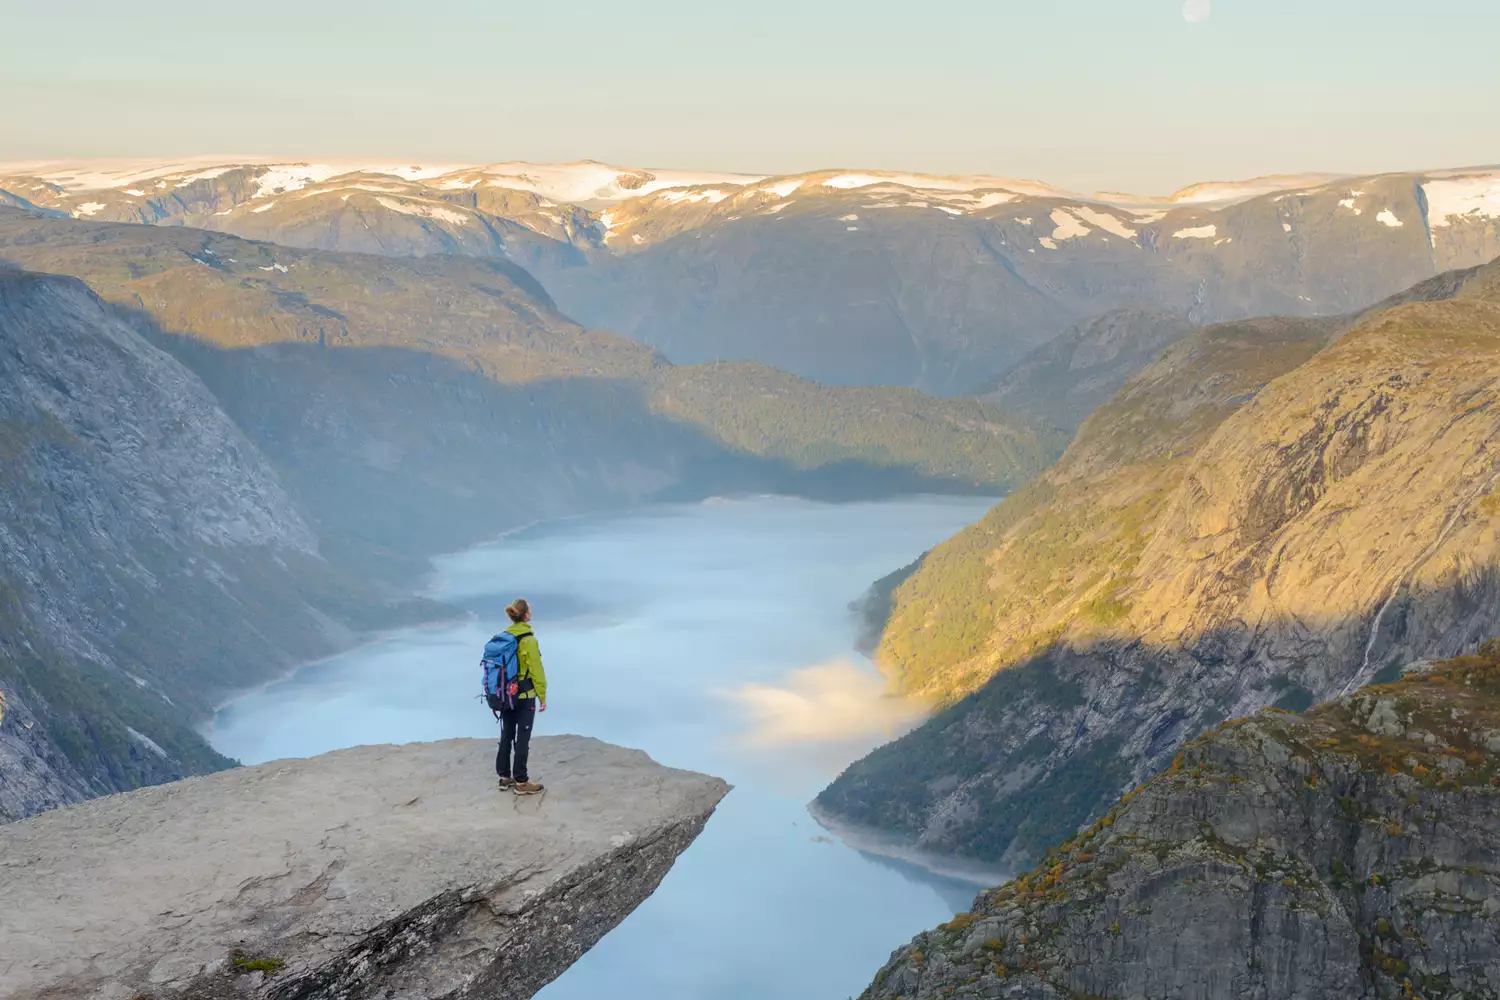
x=1061, y=551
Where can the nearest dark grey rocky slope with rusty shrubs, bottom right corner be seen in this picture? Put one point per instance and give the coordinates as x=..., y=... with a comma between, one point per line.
x=1349, y=852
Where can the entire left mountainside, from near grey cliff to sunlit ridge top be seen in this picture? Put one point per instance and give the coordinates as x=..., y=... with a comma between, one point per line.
x=217, y=473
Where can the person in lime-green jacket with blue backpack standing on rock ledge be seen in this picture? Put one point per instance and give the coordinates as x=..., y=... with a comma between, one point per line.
x=517, y=689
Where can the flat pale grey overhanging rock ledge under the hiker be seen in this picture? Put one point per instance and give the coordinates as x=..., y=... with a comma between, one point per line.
x=376, y=872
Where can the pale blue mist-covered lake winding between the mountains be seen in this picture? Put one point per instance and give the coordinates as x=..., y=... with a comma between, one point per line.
x=718, y=638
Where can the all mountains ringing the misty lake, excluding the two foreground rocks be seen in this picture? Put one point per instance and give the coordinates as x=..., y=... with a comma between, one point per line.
x=1255, y=510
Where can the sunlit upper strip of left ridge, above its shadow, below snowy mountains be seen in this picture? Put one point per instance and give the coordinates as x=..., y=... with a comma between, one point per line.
x=493, y=319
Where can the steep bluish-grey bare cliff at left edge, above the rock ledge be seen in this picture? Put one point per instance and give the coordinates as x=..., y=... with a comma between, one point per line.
x=152, y=558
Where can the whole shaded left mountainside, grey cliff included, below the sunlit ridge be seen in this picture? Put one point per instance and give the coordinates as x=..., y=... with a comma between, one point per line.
x=125, y=621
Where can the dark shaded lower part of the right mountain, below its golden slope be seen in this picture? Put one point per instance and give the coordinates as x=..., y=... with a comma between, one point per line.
x=1046, y=746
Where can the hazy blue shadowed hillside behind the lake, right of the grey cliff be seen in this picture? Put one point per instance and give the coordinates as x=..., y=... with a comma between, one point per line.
x=398, y=454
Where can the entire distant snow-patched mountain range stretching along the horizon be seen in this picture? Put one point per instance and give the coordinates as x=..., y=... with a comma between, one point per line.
x=842, y=277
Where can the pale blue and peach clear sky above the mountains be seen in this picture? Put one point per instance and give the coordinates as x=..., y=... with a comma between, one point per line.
x=1087, y=94
